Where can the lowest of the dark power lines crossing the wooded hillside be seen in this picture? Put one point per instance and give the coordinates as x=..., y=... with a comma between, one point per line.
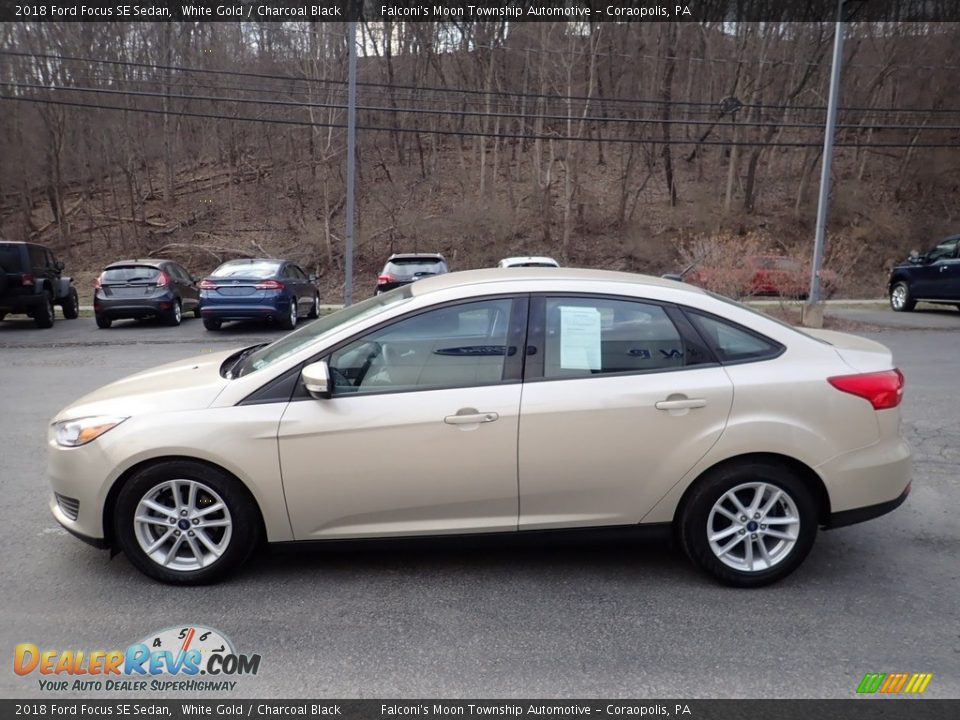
x=470, y=133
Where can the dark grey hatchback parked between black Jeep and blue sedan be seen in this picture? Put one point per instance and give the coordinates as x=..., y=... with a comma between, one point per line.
x=145, y=288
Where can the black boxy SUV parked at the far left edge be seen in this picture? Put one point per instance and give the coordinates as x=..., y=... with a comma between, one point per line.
x=31, y=283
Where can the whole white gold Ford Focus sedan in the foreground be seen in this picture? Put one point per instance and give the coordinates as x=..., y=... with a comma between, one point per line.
x=537, y=400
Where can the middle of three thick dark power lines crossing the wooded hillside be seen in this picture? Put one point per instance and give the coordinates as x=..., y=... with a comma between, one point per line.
x=474, y=113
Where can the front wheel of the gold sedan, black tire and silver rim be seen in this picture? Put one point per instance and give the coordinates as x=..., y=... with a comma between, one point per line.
x=231, y=536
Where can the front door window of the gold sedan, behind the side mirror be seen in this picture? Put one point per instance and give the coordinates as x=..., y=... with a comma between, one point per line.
x=456, y=346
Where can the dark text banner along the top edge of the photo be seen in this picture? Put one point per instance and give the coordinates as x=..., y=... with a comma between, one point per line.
x=588, y=11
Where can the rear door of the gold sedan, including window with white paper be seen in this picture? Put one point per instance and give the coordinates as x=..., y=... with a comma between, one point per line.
x=621, y=399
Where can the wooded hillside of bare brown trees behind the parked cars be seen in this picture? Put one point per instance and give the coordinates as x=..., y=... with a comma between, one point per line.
x=603, y=144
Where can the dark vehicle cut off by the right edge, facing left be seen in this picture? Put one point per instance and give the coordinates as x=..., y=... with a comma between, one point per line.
x=932, y=277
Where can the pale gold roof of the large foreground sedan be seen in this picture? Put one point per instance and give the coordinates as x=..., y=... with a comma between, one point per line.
x=436, y=283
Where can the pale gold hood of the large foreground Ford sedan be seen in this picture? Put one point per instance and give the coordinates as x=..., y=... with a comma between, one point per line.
x=189, y=384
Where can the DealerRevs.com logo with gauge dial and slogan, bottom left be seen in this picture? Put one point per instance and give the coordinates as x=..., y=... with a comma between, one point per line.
x=191, y=658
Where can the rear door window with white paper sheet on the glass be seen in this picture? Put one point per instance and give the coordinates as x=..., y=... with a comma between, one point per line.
x=598, y=336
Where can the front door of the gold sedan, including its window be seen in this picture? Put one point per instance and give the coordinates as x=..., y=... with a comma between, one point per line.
x=420, y=434
